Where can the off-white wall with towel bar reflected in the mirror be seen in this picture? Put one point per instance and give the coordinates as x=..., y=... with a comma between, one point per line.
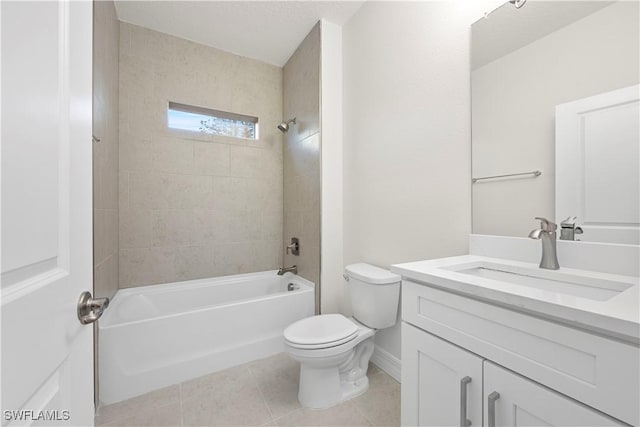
x=514, y=99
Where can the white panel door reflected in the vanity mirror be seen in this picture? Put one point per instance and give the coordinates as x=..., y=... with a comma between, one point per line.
x=598, y=165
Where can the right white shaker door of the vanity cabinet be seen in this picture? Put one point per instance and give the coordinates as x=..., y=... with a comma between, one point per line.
x=513, y=400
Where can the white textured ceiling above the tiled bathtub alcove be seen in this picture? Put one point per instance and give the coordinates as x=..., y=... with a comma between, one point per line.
x=269, y=31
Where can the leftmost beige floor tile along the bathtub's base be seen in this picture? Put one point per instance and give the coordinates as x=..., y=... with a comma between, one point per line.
x=131, y=407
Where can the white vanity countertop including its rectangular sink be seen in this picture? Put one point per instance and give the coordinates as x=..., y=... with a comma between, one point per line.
x=600, y=302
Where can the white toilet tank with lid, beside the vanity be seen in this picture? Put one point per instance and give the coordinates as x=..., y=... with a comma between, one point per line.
x=375, y=293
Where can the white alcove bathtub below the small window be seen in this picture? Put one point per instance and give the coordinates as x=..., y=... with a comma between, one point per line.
x=154, y=336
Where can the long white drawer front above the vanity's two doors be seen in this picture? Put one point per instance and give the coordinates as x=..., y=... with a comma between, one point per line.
x=600, y=372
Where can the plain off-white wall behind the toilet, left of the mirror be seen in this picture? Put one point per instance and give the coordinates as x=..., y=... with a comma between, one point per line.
x=406, y=135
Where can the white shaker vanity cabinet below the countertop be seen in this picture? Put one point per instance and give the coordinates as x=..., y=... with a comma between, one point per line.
x=542, y=372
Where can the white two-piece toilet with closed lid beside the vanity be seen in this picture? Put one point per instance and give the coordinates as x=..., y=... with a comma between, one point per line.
x=333, y=350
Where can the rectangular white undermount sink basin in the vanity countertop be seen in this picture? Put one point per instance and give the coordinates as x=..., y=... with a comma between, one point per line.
x=567, y=283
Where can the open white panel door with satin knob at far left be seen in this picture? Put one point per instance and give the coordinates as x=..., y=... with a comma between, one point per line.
x=47, y=371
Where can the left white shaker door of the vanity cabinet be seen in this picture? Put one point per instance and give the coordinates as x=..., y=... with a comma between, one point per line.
x=440, y=381
